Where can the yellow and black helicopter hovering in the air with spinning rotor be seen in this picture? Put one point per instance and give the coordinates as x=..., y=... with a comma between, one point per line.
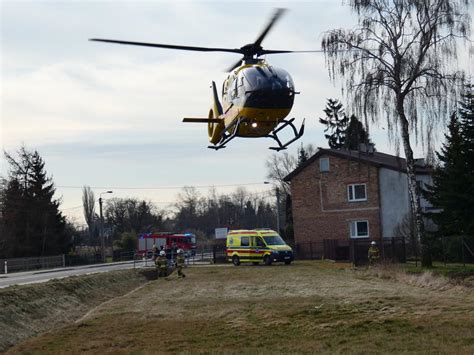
x=256, y=97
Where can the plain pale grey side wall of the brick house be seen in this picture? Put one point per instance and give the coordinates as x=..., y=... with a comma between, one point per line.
x=394, y=200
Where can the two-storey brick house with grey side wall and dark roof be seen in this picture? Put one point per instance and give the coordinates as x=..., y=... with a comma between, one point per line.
x=343, y=195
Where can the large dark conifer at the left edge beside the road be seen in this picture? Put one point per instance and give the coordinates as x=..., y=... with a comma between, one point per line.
x=32, y=223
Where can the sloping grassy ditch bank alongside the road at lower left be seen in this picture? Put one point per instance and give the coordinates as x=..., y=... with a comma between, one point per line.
x=29, y=310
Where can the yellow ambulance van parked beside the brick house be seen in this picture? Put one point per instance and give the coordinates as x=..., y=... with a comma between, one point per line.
x=257, y=245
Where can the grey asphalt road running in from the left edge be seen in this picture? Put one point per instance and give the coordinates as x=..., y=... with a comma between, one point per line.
x=23, y=278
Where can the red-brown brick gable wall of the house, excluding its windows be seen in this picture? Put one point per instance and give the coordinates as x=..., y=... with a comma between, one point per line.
x=321, y=209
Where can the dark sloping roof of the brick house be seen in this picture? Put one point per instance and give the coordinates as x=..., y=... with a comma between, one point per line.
x=378, y=159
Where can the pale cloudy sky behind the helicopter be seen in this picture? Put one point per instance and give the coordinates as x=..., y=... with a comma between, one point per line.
x=109, y=116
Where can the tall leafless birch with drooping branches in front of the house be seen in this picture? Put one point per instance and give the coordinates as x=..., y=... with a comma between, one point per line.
x=399, y=62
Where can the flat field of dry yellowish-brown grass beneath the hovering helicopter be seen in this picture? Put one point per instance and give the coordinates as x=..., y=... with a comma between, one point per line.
x=305, y=307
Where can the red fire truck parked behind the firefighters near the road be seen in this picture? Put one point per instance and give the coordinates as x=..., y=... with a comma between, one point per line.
x=185, y=241
